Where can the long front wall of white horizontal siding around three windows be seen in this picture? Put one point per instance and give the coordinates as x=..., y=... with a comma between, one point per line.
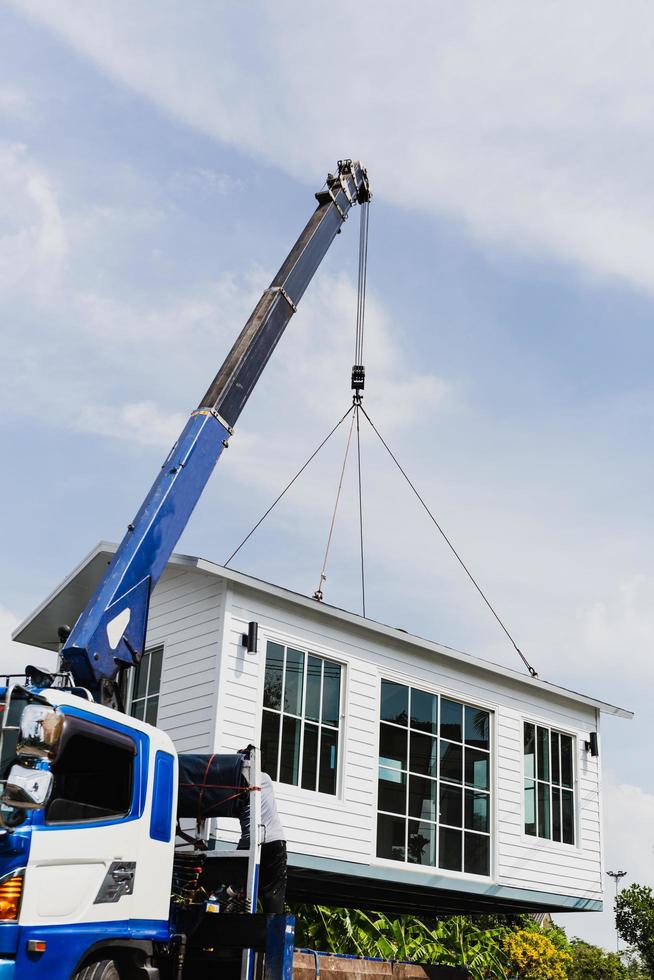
x=343, y=827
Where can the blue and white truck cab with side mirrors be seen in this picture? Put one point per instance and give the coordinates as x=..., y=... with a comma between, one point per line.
x=88, y=837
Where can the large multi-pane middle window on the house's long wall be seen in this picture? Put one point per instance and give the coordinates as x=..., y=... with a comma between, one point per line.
x=434, y=800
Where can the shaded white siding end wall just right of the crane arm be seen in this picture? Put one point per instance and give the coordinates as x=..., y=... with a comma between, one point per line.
x=186, y=616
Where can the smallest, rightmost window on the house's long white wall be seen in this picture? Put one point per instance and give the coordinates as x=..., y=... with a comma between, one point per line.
x=549, y=784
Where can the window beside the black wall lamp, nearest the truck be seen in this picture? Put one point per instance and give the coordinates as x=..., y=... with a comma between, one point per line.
x=301, y=717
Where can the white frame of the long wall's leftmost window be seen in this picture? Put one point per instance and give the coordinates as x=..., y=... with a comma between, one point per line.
x=290, y=790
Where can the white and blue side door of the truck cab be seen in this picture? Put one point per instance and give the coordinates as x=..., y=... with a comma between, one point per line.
x=92, y=856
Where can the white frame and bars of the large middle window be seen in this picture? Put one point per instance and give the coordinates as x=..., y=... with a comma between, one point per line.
x=449, y=695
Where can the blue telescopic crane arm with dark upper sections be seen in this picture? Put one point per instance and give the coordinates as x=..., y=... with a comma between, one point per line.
x=109, y=635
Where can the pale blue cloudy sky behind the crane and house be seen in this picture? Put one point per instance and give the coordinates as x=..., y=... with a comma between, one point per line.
x=156, y=163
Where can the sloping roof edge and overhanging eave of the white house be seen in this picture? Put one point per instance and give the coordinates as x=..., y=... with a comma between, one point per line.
x=66, y=602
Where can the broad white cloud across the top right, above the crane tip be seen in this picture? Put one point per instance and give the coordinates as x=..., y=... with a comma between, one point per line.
x=529, y=124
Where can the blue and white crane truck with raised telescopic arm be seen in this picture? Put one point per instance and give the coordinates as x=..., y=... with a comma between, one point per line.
x=93, y=882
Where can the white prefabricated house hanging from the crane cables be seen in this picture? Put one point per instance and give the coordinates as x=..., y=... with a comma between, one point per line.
x=409, y=776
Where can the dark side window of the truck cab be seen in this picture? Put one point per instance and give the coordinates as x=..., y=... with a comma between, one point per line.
x=93, y=777
